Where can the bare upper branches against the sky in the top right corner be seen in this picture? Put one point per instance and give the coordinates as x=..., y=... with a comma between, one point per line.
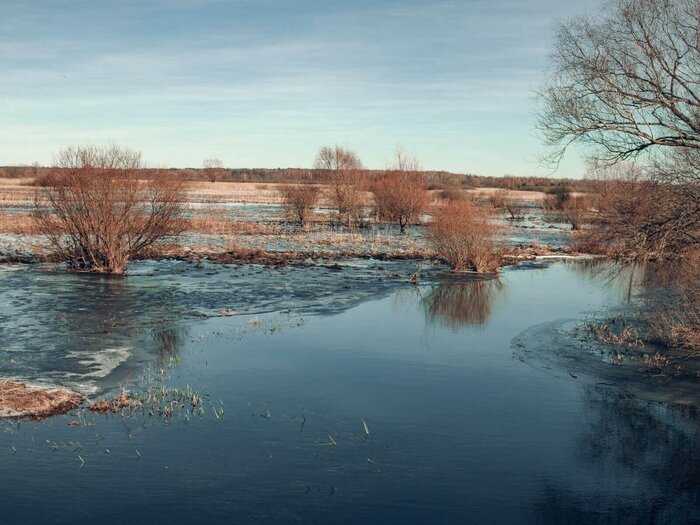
x=626, y=81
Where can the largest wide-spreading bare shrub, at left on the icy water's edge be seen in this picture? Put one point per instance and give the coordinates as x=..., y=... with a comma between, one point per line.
x=98, y=214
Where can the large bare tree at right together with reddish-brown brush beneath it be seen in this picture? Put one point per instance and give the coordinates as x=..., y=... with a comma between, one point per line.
x=626, y=85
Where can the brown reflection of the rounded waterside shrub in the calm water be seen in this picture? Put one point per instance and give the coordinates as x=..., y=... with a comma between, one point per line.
x=463, y=303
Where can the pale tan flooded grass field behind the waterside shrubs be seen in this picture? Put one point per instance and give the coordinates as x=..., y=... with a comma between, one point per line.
x=218, y=229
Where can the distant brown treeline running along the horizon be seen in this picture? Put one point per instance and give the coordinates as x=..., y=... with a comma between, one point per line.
x=437, y=180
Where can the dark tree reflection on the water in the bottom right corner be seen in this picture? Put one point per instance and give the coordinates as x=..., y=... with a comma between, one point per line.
x=643, y=460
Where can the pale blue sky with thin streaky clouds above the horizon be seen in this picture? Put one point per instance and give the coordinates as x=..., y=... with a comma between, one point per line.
x=265, y=83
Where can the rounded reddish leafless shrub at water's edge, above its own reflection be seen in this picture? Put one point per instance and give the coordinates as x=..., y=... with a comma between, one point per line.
x=462, y=234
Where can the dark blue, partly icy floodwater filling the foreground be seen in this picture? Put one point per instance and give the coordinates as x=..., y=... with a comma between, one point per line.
x=334, y=396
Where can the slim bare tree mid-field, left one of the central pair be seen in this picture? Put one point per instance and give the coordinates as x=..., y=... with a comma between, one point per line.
x=342, y=170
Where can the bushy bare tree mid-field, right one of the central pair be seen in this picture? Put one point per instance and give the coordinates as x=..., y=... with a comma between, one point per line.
x=401, y=195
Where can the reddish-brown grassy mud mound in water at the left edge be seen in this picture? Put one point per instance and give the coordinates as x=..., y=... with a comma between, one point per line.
x=19, y=400
